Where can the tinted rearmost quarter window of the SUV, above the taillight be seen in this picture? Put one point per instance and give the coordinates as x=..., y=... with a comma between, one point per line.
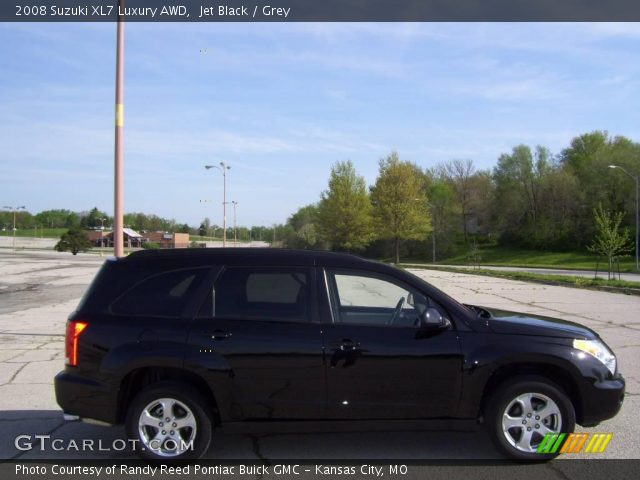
x=163, y=295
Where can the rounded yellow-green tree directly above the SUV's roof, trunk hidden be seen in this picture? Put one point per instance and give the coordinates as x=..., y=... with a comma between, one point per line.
x=344, y=212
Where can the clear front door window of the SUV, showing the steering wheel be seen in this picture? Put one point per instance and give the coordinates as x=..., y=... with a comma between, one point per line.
x=359, y=298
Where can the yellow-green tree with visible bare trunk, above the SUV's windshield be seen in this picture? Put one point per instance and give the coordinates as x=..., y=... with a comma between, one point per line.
x=400, y=202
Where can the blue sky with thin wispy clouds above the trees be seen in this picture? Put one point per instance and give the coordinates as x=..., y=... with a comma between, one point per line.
x=281, y=103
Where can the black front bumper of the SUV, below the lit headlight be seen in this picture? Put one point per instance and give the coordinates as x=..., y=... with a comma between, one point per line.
x=602, y=400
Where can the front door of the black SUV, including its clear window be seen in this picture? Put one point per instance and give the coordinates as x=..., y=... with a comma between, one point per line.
x=381, y=363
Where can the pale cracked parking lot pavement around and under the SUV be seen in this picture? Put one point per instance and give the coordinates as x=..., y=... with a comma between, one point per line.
x=39, y=290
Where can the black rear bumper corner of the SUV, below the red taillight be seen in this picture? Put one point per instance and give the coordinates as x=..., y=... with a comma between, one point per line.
x=85, y=398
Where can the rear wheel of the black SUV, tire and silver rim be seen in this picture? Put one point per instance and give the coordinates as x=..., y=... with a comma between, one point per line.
x=187, y=434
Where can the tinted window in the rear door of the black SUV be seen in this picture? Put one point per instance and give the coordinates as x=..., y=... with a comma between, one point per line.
x=263, y=293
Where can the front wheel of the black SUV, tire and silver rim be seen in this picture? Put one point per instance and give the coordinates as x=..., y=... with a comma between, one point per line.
x=522, y=411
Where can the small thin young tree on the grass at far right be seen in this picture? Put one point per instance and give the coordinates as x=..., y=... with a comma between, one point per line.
x=609, y=242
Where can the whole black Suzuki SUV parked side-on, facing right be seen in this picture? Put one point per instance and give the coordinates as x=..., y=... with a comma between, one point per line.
x=173, y=343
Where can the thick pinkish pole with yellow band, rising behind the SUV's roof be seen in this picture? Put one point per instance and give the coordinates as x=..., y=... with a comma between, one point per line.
x=118, y=233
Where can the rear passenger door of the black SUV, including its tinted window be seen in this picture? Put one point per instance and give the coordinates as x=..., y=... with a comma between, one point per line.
x=258, y=340
